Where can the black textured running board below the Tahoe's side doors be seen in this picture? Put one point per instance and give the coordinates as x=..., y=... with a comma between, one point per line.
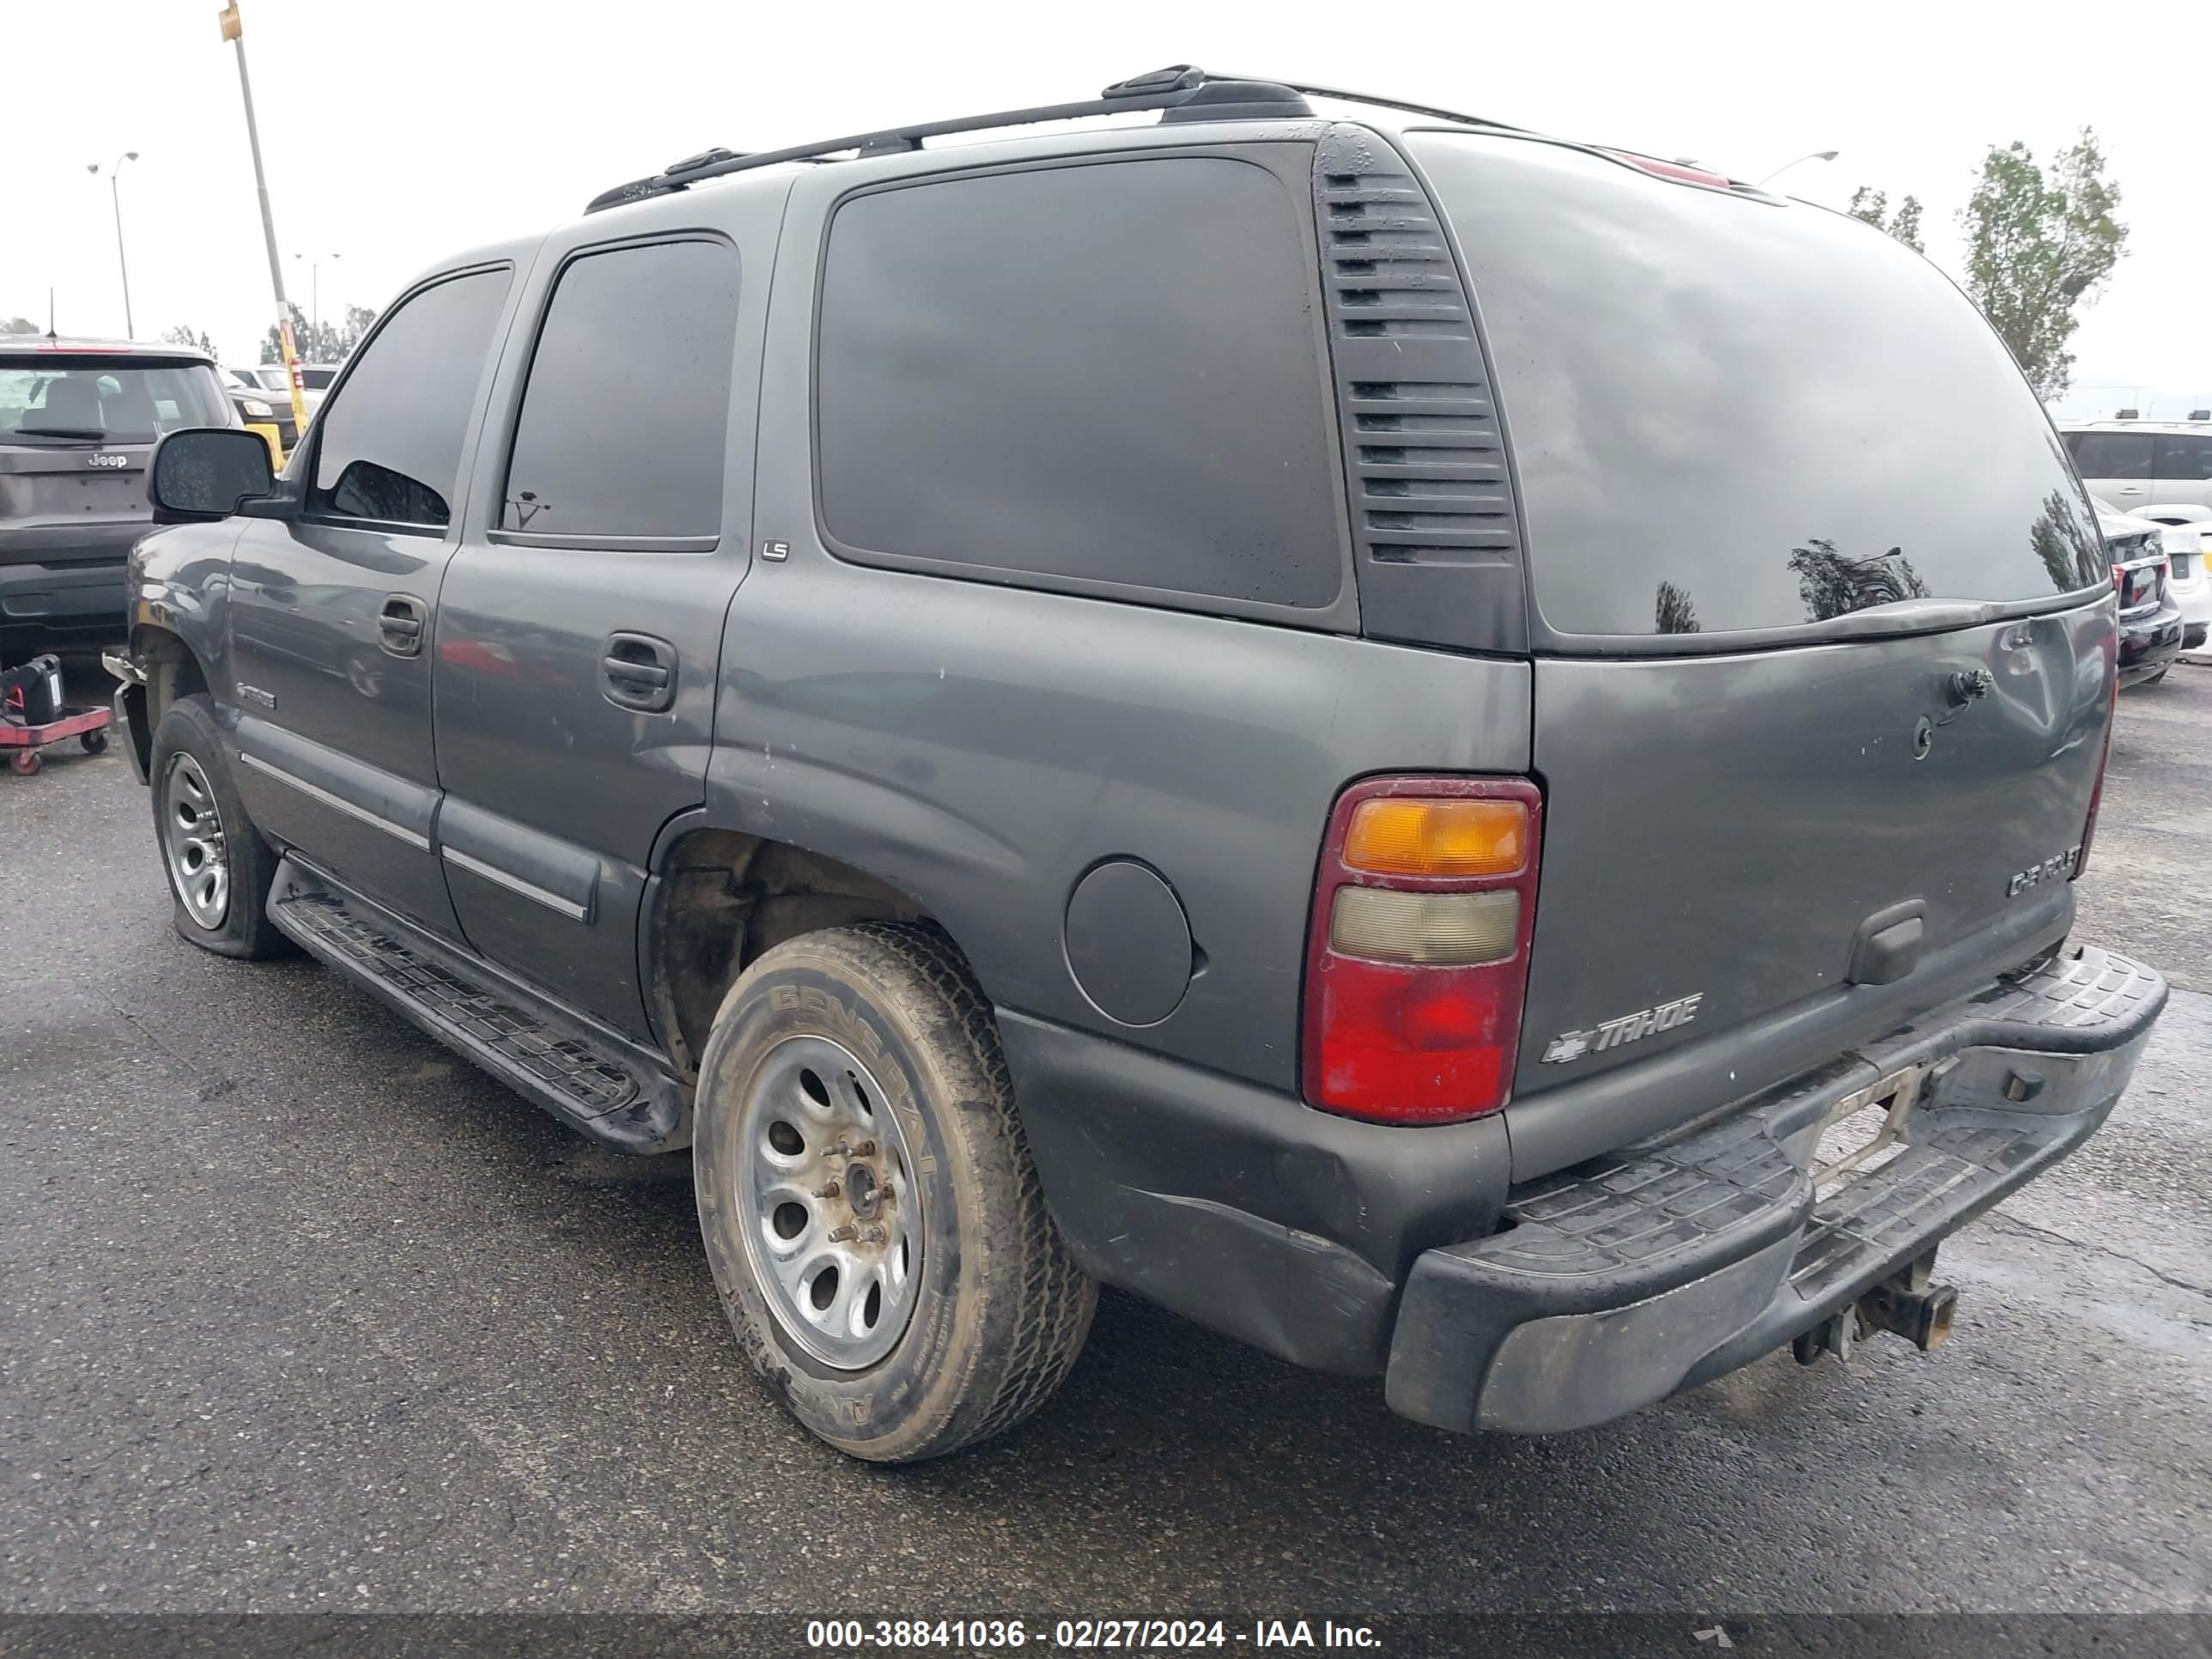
x=607, y=1087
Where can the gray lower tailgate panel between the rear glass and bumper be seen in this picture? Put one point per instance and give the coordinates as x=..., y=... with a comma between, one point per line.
x=1724, y=826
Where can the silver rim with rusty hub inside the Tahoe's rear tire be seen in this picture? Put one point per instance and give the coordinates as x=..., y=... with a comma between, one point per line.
x=833, y=1218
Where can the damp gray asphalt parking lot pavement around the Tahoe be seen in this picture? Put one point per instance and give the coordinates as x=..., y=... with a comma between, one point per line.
x=300, y=1313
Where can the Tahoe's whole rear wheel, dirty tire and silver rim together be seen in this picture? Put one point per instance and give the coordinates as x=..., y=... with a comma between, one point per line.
x=868, y=1200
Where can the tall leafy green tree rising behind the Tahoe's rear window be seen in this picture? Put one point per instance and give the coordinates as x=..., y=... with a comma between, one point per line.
x=2041, y=242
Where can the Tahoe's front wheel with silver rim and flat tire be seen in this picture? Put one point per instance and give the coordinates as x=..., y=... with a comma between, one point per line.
x=218, y=864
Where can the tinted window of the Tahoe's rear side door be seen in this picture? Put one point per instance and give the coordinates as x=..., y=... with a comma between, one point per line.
x=629, y=397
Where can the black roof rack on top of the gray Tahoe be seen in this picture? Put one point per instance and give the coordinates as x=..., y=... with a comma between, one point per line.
x=1182, y=92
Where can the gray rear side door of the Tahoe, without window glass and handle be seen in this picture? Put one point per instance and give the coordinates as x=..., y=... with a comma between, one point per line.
x=563, y=791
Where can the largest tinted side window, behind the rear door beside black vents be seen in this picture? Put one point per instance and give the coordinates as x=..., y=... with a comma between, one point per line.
x=1100, y=373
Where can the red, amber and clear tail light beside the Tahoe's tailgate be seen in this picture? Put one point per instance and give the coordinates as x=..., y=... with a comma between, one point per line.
x=1419, y=954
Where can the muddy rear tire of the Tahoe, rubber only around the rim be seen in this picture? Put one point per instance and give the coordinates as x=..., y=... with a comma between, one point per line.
x=999, y=1308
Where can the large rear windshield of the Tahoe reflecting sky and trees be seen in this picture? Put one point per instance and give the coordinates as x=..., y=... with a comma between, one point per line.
x=1731, y=415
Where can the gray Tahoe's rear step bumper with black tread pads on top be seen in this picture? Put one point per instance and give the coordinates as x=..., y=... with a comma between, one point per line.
x=1653, y=1271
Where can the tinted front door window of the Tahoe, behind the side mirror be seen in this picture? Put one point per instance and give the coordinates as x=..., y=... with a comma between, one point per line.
x=390, y=437
